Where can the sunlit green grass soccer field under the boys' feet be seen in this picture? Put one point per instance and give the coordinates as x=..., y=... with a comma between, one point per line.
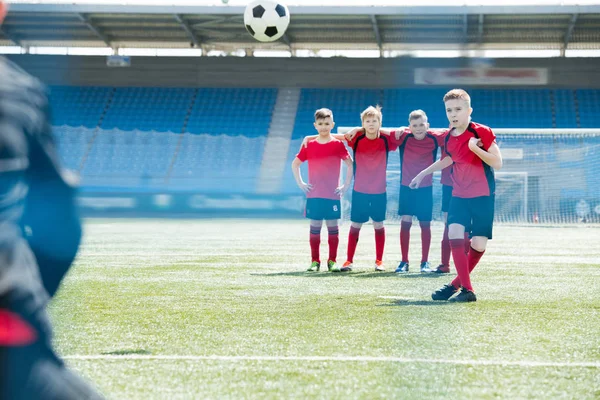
x=173, y=309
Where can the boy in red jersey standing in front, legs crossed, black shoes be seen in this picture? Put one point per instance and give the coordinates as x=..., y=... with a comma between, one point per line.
x=472, y=151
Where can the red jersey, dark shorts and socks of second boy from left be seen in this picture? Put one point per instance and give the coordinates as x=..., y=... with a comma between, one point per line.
x=369, y=195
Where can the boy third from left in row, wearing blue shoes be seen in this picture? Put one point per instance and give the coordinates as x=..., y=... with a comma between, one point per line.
x=418, y=149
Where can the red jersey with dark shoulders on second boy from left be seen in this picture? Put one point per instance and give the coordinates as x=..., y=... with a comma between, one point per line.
x=370, y=162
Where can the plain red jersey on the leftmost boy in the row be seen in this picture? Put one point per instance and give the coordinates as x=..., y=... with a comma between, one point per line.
x=323, y=167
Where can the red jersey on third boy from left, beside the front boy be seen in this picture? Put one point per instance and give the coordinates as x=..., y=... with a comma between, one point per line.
x=416, y=155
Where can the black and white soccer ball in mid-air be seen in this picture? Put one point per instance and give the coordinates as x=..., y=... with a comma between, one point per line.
x=266, y=20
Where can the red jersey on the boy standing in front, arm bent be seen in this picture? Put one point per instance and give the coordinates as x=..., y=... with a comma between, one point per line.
x=471, y=177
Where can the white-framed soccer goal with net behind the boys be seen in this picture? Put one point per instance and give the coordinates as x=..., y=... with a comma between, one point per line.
x=549, y=176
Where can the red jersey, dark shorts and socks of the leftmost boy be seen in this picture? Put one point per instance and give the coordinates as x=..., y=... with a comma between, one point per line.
x=322, y=202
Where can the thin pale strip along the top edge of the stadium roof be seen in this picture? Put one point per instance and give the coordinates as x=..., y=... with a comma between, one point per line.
x=307, y=10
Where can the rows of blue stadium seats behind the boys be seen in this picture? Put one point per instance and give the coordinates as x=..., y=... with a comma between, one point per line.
x=131, y=137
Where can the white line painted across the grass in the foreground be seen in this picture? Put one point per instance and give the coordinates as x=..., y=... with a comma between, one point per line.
x=402, y=360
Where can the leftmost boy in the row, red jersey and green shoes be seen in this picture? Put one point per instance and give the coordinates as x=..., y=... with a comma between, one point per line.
x=323, y=192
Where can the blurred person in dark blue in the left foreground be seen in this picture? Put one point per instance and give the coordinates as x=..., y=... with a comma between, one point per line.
x=40, y=232
